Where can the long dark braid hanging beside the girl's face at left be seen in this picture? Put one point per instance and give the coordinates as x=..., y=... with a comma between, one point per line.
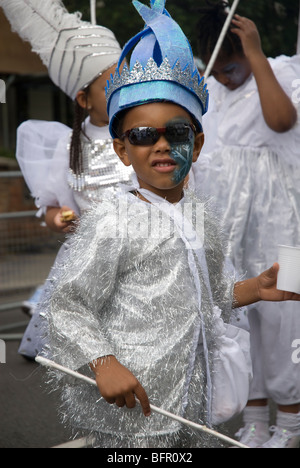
x=76, y=160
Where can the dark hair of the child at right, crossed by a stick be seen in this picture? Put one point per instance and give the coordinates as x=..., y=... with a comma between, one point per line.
x=209, y=27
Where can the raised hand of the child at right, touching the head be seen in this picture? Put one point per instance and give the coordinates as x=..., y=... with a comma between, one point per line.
x=249, y=35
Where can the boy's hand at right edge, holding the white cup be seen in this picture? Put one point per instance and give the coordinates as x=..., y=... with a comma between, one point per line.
x=267, y=287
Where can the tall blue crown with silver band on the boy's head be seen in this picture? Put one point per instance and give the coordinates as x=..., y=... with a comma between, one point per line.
x=162, y=67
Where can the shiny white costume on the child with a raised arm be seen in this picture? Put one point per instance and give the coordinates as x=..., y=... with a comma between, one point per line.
x=253, y=175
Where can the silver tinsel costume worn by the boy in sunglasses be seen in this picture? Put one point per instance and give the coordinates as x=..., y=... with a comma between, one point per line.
x=122, y=291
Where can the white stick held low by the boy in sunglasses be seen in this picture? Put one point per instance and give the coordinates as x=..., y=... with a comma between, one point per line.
x=48, y=363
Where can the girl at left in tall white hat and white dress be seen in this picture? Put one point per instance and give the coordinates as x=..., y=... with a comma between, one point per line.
x=66, y=170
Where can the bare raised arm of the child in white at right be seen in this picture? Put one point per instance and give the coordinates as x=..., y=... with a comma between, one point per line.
x=278, y=109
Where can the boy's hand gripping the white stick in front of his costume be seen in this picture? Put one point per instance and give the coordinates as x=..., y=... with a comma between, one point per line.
x=118, y=385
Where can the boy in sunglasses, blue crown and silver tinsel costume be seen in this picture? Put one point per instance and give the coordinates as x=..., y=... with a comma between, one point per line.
x=140, y=294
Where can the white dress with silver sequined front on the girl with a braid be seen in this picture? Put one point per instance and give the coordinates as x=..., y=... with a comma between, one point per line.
x=43, y=154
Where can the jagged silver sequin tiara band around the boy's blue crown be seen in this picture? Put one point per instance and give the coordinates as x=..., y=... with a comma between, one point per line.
x=164, y=72
